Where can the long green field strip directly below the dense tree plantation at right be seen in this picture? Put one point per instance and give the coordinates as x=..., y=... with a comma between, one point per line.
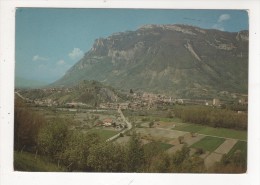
x=219, y=132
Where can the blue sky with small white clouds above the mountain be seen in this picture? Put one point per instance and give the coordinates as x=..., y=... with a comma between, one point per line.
x=49, y=41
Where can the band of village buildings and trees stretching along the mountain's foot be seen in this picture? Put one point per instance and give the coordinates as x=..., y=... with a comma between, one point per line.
x=139, y=100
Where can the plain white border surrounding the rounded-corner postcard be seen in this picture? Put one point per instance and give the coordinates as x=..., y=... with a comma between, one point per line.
x=7, y=32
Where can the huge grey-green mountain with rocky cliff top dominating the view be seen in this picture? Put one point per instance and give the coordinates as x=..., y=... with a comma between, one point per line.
x=177, y=60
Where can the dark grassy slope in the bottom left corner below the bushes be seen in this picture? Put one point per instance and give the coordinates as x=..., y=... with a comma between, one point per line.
x=27, y=162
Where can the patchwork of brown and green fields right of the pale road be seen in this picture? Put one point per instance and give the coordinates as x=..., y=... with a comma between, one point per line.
x=213, y=142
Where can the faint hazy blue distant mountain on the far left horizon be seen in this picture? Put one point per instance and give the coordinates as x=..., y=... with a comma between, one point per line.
x=25, y=83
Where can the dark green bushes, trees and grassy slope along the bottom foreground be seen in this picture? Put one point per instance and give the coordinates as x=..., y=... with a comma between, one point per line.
x=56, y=147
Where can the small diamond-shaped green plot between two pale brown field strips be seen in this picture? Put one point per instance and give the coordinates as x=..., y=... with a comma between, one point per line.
x=208, y=143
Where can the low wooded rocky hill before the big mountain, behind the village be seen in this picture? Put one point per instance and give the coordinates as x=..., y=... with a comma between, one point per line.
x=89, y=93
